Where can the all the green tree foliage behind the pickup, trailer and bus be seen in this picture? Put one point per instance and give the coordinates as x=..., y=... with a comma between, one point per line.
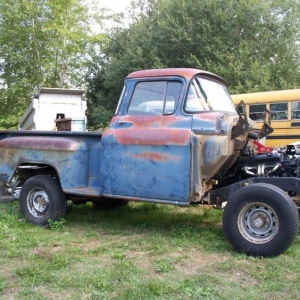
x=253, y=44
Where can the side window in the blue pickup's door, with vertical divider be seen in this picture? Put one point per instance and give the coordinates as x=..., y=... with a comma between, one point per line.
x=154, y=98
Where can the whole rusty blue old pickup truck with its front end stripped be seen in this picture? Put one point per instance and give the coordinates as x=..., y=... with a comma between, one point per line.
x=176, y=138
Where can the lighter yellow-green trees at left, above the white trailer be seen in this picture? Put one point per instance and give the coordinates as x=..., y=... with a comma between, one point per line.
x=42, y=43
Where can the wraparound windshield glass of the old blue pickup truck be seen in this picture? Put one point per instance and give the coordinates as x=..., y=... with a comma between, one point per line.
x=206, y=95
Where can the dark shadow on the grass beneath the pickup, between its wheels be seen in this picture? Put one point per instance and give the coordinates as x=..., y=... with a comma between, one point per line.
x=197, y=225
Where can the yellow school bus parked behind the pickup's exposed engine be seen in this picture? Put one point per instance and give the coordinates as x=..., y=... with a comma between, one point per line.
x=284, y=107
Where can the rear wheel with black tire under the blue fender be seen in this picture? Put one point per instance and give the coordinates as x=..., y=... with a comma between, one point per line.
x=41, y=199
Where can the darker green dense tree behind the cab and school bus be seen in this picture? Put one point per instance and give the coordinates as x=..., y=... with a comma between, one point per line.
x=253, y=44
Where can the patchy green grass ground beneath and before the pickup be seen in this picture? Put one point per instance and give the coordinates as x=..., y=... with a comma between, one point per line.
x=142, y=251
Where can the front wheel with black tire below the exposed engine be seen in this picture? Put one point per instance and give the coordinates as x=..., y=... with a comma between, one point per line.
x=260, y=220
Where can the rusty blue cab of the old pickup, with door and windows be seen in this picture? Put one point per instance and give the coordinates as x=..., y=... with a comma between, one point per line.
x=171, y=136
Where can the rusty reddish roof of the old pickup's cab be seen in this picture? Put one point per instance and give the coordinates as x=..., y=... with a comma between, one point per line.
x=182, y=72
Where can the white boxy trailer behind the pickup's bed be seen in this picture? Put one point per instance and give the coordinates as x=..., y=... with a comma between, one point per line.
x=52, y=104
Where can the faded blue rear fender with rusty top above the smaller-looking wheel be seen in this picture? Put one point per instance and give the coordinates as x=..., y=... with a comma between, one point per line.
x=68, y=156
